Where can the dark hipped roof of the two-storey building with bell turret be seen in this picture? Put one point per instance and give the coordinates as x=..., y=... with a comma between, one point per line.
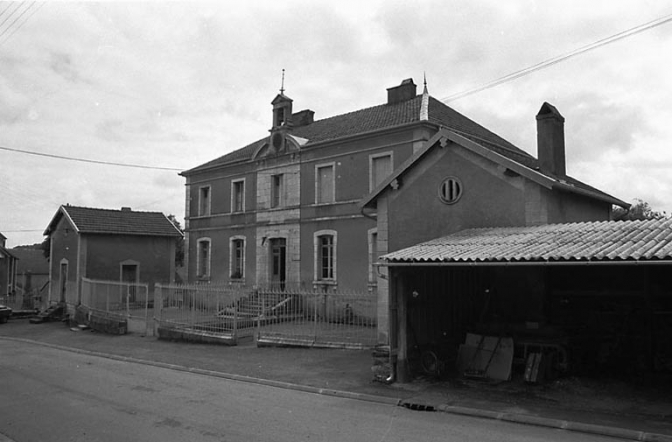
x=380, y=117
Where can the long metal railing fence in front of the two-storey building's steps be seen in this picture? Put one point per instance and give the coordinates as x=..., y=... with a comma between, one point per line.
x=273, y=315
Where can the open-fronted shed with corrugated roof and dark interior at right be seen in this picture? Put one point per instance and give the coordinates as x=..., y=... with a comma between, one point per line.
x=598, y=293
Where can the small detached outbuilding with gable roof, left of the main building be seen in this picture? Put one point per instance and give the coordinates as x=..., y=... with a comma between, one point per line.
x=111, y=245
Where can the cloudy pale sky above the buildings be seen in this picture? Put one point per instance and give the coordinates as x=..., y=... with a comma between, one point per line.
x=167, y=86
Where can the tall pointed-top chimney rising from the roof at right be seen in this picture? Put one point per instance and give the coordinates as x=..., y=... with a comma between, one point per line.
x=551, y=141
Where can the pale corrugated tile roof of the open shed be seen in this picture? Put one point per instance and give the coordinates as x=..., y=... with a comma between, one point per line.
x=605, y=241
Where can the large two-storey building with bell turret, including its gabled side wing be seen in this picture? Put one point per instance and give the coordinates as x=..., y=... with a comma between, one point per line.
x=296, y=207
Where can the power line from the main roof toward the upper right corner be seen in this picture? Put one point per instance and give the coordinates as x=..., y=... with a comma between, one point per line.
x=552, y=61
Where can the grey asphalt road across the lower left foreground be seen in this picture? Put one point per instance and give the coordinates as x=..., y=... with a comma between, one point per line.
x=48, y=394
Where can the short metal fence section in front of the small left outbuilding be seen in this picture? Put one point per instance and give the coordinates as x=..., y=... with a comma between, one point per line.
x=131, y=301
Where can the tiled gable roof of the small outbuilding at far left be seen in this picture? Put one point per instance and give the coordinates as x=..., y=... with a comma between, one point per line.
x=117, y=222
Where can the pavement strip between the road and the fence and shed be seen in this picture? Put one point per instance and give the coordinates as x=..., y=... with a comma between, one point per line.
x=634, y=410
